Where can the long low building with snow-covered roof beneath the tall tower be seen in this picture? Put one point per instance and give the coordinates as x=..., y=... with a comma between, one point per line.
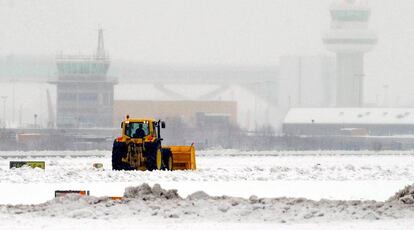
x=349, y=121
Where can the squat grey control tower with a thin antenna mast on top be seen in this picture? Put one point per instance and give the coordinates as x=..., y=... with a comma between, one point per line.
x=84, y=91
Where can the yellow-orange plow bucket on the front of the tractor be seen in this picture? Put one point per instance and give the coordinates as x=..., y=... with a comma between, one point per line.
x=183, y=157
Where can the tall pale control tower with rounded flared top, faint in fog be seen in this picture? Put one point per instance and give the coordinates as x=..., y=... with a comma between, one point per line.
x=350, y=38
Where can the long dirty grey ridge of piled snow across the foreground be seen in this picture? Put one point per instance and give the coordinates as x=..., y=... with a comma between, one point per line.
x=154, y=203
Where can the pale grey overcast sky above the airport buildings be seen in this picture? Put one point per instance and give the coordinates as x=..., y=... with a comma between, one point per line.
x=246, y=32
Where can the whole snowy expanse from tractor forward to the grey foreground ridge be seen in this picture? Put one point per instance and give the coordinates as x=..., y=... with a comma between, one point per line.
x=311, y=175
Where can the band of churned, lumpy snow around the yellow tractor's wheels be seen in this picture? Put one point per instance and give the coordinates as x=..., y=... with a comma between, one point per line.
x=221, y=167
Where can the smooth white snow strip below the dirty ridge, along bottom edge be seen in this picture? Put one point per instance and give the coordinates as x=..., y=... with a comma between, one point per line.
x=48, y=223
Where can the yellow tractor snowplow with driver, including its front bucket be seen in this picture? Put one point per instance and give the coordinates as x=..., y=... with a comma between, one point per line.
x=139, y=148
